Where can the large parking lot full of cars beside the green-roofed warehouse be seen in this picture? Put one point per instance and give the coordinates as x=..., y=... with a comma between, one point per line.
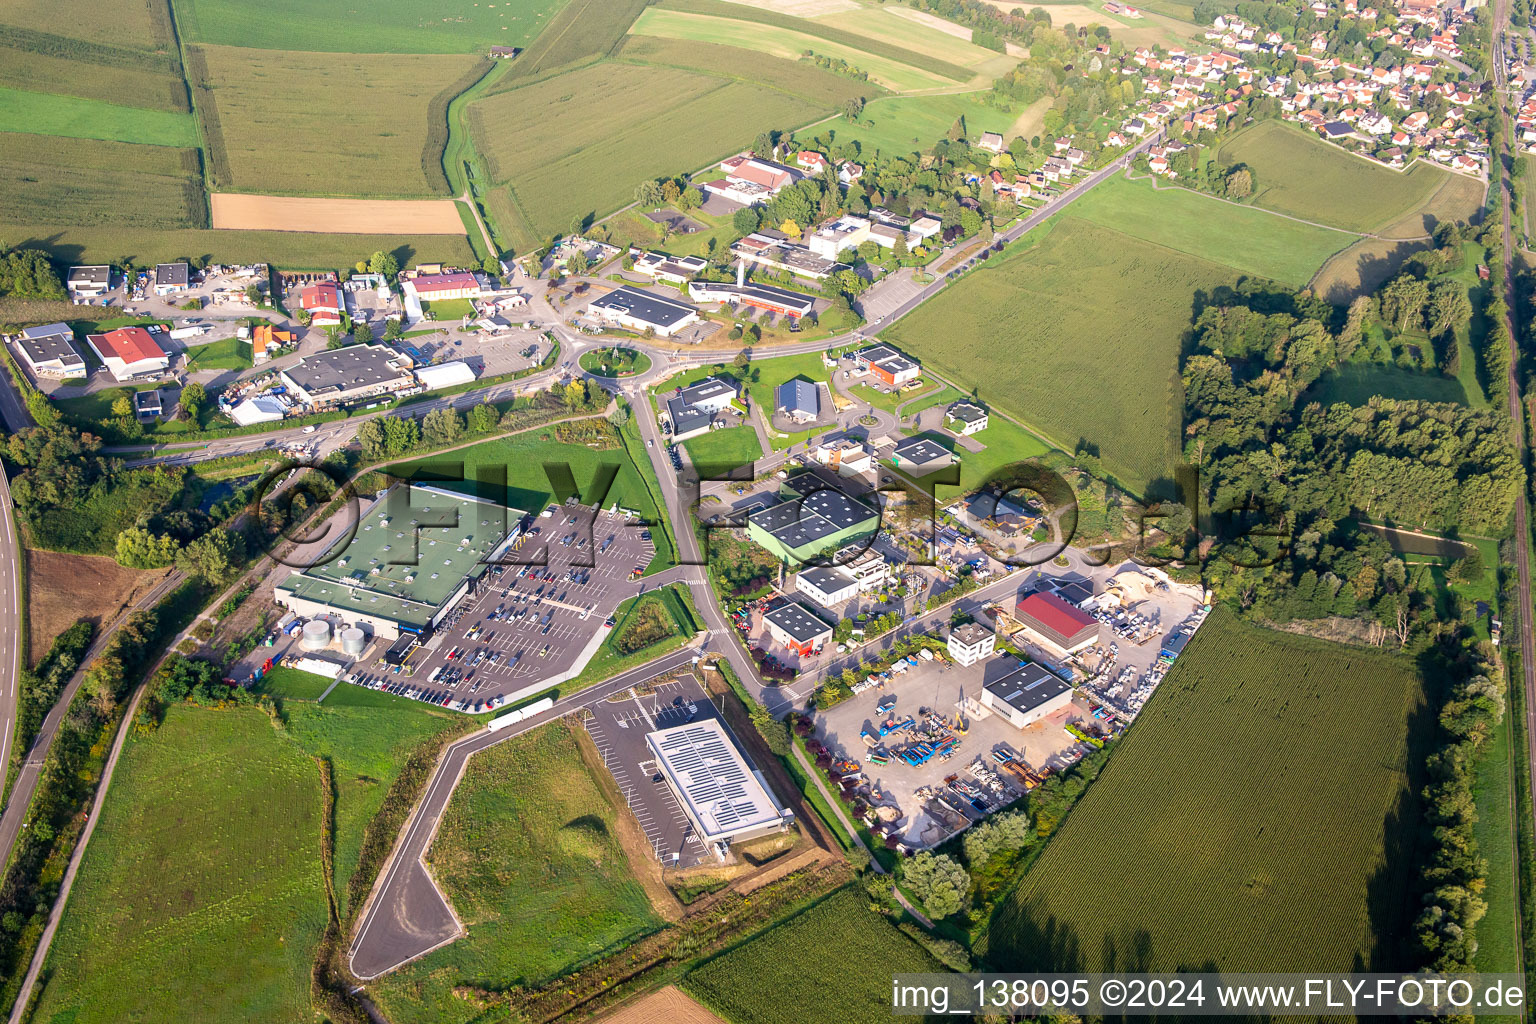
x=531, y=626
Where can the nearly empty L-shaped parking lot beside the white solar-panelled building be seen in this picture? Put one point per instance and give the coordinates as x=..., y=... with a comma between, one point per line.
x=618, y=728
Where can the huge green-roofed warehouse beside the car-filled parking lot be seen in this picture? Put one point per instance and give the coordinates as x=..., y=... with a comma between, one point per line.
x=402, y=573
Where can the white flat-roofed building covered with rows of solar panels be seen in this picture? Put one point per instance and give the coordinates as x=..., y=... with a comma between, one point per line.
x=724, y=798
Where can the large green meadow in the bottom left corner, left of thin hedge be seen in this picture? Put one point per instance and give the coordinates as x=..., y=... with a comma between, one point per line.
x=200, y=894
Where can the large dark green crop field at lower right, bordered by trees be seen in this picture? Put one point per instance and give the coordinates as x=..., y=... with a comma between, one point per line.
x=1259, y=818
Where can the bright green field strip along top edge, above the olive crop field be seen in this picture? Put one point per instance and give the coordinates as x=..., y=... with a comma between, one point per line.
x=388, y=27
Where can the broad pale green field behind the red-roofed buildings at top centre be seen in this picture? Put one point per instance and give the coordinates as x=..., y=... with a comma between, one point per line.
x=551, y=147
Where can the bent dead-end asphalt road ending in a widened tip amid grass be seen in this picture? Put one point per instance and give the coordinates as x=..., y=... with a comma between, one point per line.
x=408, y=917
